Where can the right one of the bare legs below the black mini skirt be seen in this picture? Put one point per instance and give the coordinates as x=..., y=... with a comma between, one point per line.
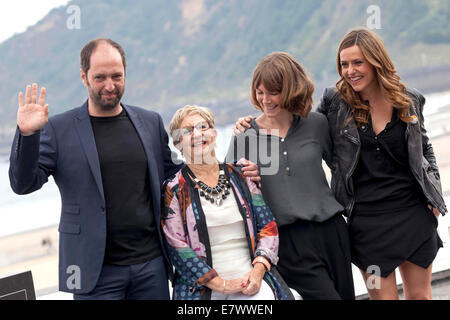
x=416, y=281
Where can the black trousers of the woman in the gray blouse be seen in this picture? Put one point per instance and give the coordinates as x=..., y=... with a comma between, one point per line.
x=315, y=259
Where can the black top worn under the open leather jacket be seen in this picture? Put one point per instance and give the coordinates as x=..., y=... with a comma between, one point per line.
x=382, y=178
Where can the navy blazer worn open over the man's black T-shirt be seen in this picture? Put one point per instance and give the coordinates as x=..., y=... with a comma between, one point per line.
x=65, y=148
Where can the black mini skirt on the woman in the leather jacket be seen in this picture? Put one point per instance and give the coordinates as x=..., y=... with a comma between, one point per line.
x=387, y=238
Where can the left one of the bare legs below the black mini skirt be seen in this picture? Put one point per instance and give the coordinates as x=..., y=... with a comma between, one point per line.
x=384, y=289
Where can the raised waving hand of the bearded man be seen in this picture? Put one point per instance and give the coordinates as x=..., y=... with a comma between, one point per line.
x=33, y=114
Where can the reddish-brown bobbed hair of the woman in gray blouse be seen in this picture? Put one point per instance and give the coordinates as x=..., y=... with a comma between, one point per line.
x=280, y=72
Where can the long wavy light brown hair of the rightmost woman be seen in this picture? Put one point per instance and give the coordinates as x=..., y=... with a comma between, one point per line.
x=374, y=51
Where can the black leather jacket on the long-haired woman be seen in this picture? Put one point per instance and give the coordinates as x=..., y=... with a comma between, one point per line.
x=347, y=146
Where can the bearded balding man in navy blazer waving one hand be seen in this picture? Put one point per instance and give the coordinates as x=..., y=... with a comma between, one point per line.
x=109, y=161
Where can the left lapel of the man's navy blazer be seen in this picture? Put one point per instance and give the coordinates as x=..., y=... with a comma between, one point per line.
x=84, y=128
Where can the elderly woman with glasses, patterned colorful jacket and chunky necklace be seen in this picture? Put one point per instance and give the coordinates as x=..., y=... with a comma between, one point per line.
x=221, y=237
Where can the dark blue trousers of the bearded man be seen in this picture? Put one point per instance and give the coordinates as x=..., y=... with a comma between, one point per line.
x=144, y=281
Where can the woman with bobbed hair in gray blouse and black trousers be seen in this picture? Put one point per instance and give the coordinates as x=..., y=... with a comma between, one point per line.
x=288, y=142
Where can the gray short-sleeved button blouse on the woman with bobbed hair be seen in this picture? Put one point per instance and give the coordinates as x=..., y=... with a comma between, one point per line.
x=293, y=181
